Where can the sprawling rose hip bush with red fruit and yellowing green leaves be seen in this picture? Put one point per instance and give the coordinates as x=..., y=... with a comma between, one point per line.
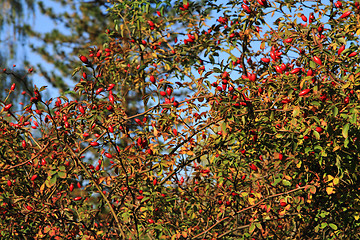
x=247, y=128
